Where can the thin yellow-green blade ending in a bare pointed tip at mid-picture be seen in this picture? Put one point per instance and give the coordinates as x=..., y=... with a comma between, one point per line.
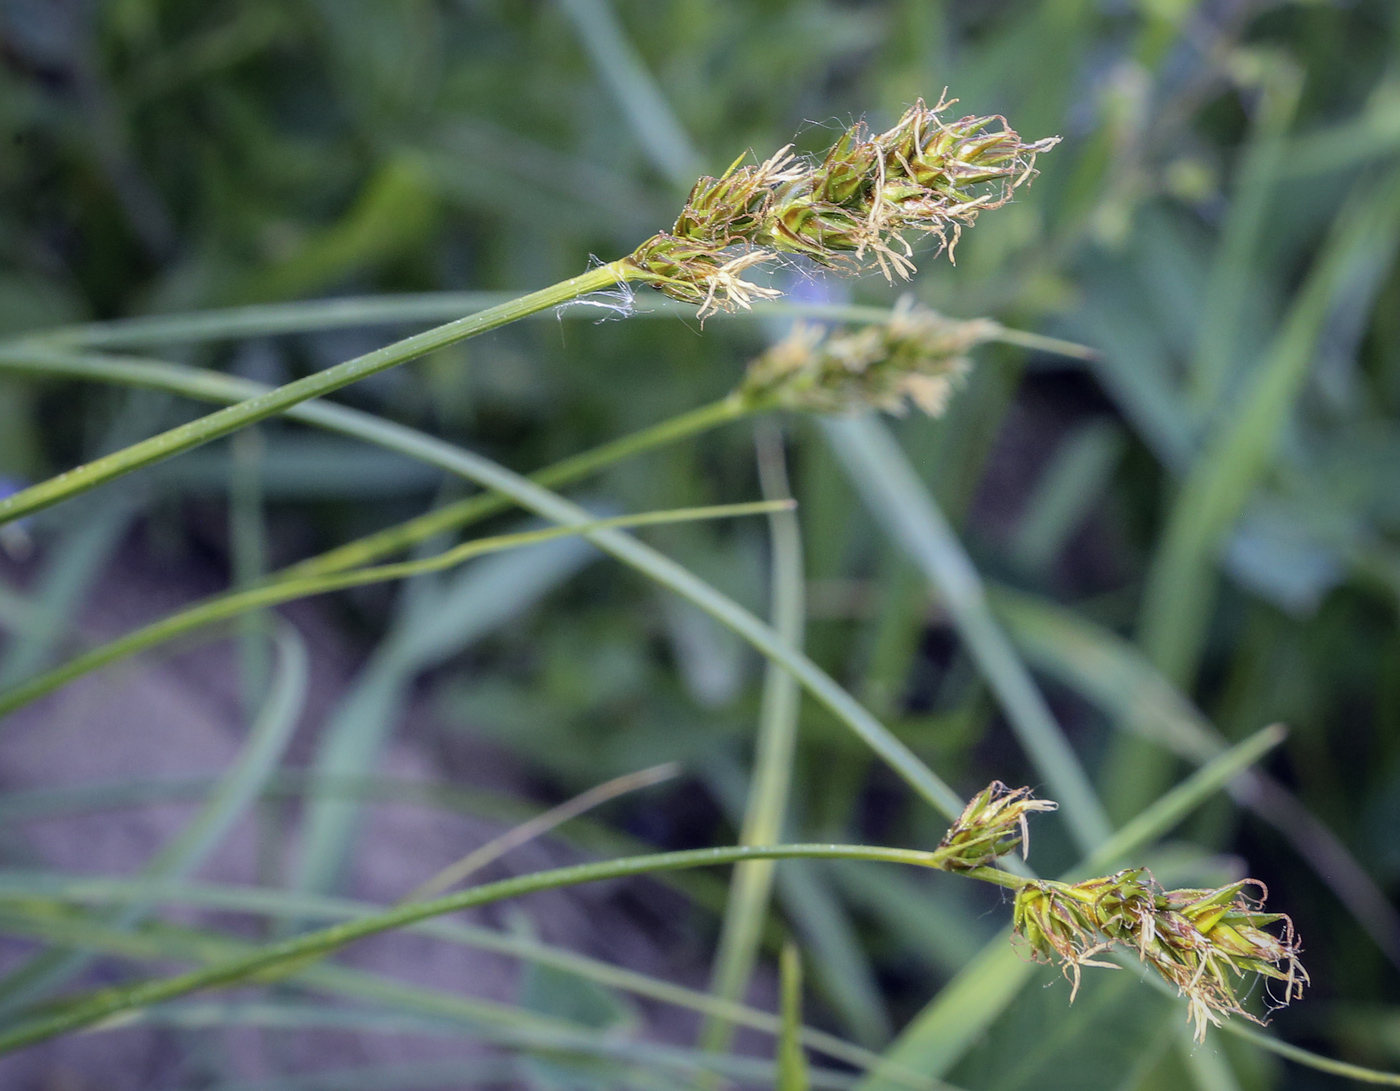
x=232, y=606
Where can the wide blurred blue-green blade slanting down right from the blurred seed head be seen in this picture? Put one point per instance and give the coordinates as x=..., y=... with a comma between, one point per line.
x=909, y=515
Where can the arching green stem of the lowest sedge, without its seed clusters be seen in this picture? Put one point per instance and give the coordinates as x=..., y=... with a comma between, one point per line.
x=316, y=945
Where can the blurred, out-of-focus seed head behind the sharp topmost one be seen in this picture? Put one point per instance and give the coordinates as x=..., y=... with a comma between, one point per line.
x=918, y=356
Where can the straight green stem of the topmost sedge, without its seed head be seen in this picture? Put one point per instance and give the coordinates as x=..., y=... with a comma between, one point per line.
x=278, y=401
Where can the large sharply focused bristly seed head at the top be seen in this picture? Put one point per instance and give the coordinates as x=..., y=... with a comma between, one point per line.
x=856, y=205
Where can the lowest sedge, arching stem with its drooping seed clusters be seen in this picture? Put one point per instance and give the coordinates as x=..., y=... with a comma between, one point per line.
x=1202, y=943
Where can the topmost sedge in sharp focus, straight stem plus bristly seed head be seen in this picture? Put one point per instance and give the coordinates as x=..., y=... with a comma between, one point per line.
x=849, y=211
